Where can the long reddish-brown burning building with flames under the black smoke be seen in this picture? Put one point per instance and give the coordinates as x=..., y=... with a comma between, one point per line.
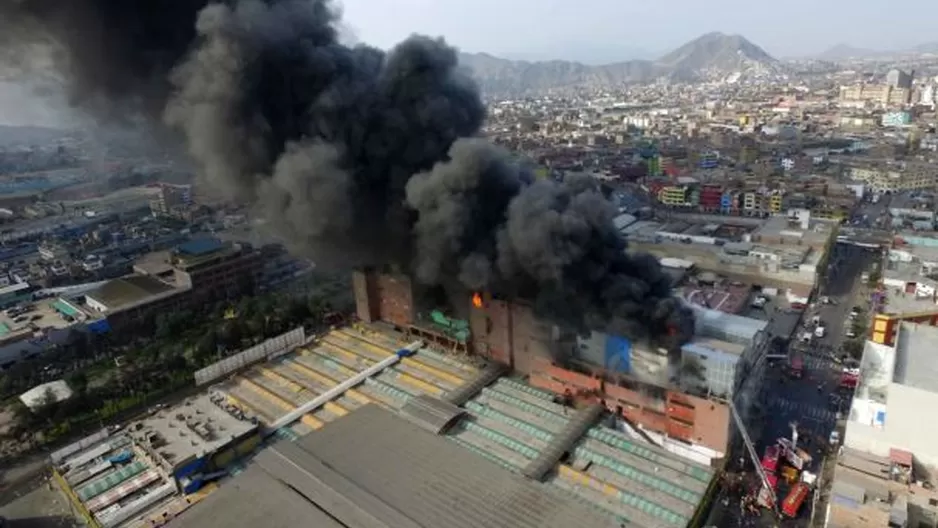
x=511, y=333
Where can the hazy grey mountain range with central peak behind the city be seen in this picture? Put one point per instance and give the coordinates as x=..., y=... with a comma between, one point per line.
x=712, y=55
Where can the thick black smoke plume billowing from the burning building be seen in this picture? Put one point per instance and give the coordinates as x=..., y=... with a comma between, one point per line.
x=358, y=156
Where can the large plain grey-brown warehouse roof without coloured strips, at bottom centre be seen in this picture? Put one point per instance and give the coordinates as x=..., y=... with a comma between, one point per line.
x=374, y=469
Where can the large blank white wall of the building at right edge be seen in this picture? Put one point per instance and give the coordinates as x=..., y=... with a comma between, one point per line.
x=906, y=426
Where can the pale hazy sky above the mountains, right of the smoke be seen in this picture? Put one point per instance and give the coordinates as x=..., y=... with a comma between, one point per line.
x=608, y=30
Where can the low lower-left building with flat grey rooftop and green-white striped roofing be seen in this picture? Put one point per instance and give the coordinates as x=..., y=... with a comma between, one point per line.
x=156, y=467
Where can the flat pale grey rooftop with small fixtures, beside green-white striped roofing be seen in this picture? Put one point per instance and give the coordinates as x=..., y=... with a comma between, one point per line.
x=192, y=428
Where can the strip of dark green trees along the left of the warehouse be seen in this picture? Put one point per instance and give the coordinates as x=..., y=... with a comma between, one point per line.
x=111, y=379
